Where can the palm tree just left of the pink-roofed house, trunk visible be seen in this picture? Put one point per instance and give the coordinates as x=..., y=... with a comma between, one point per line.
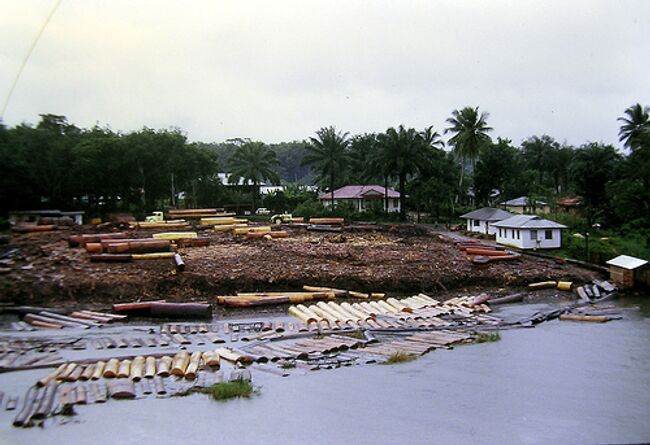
x=327, y=154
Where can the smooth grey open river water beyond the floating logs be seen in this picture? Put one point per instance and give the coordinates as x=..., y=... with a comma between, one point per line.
x=560, y=382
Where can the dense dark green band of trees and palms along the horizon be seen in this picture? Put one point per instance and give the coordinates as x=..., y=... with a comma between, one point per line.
x=56, y=164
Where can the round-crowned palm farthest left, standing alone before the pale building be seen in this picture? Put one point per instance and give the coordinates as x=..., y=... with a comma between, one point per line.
x=253, y=162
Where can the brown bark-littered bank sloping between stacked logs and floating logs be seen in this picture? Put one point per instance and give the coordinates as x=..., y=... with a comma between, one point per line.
x=397, y=259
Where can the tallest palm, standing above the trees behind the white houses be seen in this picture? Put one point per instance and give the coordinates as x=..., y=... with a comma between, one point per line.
x=469, y=129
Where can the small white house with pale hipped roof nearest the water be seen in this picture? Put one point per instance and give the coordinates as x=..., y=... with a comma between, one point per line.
x=529, y=232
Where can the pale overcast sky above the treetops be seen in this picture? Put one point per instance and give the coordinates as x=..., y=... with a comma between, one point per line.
x=279, y=70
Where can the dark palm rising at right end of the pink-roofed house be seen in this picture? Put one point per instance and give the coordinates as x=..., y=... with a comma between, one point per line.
x=402, y=152
